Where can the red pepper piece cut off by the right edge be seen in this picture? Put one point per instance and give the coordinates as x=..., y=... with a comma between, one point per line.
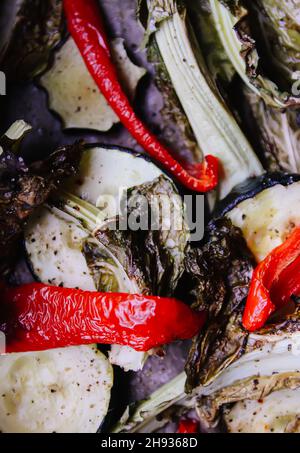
x=274, y=281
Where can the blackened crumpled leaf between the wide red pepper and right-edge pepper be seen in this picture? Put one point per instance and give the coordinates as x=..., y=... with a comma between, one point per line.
x=221, y=272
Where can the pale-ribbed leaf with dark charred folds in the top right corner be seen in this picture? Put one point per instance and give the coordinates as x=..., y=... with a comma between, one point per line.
x=263, y=44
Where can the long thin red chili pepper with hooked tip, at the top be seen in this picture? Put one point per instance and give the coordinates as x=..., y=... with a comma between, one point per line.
x=86, y=27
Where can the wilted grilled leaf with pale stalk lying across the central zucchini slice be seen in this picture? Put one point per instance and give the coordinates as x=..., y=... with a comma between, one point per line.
x=158, y=270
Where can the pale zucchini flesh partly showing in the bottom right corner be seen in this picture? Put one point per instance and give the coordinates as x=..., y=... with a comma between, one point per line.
x=277, y=413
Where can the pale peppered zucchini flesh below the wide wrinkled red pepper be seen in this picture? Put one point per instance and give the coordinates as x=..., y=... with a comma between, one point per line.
x=63, y=390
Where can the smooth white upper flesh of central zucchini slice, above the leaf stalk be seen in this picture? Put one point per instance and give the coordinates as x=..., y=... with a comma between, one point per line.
x=105, y=173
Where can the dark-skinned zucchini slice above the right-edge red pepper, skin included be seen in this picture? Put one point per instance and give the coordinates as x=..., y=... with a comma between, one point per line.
x=266, y=209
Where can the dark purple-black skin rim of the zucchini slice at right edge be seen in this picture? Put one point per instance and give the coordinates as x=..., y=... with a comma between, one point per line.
x=252, y=187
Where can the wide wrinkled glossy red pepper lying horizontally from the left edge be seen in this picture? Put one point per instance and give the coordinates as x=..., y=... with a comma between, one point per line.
x=38, y=317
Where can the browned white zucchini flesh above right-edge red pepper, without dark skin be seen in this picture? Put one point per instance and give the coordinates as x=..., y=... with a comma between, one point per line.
x=268, y=218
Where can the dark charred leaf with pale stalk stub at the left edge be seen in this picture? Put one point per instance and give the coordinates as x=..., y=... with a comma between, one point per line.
x=24, y=188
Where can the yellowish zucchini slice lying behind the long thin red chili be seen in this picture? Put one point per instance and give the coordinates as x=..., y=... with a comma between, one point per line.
x=74, y=95
